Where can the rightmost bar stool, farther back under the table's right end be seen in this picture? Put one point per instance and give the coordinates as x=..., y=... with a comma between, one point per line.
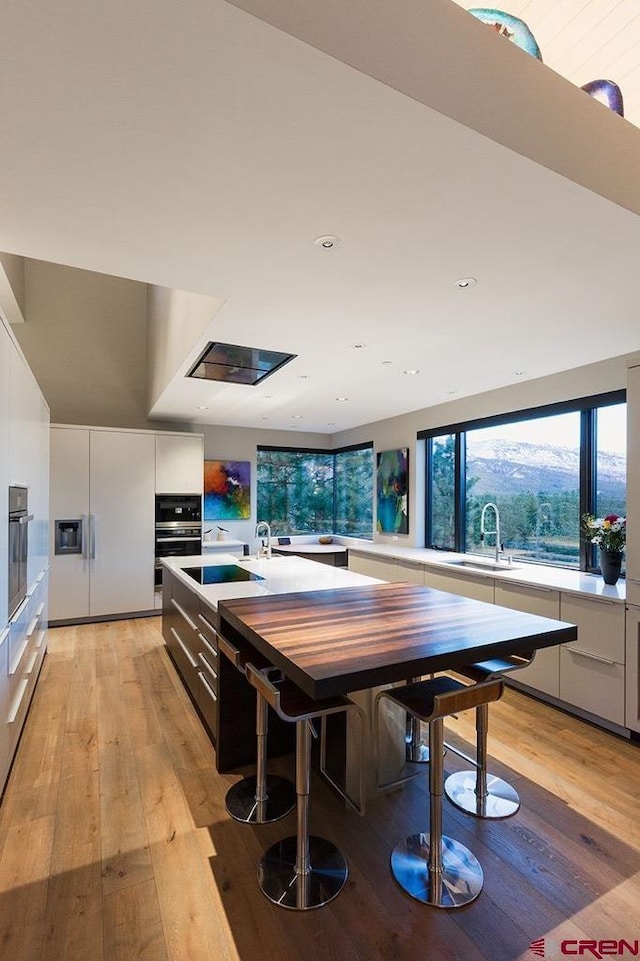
x=477, y=792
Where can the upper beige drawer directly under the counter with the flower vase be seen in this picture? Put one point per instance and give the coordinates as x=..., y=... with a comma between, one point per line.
x=600, y=626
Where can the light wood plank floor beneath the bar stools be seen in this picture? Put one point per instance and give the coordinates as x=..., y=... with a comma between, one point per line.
x=115, y=844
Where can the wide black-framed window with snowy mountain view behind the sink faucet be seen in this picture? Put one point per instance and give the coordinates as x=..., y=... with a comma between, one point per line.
x=542, y=468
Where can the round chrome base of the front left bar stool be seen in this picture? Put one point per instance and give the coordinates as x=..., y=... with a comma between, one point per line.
x=325, y=879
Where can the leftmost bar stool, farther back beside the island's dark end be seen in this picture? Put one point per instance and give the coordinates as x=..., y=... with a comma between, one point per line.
x=260, y=798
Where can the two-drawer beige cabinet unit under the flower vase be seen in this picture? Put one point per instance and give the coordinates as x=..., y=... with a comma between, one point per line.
x=592, y=668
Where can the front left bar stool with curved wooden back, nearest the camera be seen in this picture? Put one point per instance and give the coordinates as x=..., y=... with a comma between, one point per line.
x=303, y=871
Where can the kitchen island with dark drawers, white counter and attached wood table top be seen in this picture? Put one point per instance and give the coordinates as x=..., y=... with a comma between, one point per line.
x=331, y=631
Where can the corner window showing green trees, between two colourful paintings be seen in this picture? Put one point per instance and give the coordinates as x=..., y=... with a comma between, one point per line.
x=309, y=491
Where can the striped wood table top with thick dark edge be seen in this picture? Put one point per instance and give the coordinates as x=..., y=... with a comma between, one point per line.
x=348, y=639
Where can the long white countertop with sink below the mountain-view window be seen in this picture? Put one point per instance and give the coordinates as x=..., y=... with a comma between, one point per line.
x=525, y=574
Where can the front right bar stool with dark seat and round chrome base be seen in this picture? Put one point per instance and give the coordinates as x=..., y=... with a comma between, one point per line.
x=434, y=868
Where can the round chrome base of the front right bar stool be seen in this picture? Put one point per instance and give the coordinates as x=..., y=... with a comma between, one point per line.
x=459, y=883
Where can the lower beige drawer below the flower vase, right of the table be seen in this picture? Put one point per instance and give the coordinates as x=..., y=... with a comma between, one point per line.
x=594, y=685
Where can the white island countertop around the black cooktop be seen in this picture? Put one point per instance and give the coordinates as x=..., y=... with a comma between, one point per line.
x=282, y=575
